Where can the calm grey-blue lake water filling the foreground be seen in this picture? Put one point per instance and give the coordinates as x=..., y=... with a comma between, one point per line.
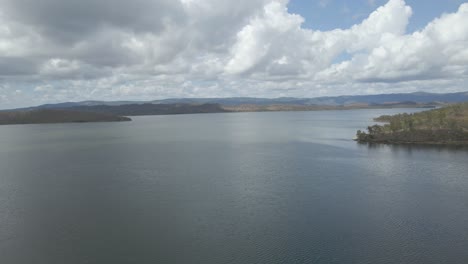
x=228, y=188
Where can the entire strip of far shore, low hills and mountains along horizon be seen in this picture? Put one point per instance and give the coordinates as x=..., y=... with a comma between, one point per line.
x=95, y=111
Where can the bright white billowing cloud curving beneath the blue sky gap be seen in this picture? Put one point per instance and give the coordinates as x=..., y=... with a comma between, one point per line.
x=274, y=44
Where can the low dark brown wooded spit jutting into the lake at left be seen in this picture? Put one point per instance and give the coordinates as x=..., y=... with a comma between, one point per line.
x=47, y=116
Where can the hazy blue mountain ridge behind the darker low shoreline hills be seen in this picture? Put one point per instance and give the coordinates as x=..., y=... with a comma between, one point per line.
x=344, y=101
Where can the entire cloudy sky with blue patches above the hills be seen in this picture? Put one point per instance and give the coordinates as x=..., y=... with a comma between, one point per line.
x=62, y=50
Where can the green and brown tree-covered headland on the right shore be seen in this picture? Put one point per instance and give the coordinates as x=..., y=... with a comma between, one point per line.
x=442, y=126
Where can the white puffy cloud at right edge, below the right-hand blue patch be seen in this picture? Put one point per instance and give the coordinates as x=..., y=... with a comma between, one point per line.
x=436, y=52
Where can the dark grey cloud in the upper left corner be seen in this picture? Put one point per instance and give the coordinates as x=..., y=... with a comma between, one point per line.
x=70, y=21
